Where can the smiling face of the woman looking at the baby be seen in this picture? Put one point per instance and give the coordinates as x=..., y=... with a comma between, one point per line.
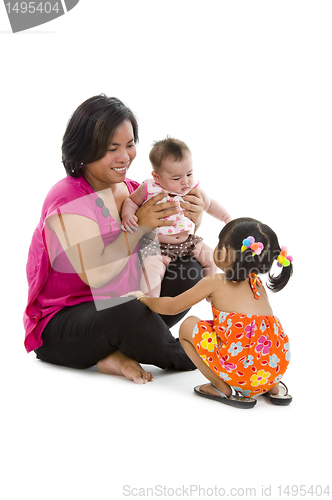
x=112, y=168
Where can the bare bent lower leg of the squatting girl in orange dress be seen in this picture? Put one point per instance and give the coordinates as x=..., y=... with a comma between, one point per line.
x=185, y=336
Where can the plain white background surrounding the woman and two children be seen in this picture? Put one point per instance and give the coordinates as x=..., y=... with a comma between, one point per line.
x=247, y=84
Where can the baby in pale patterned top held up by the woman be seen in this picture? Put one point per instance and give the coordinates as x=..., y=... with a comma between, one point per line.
x=173, y=175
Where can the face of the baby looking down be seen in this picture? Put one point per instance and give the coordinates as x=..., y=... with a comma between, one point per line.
x=176, y=176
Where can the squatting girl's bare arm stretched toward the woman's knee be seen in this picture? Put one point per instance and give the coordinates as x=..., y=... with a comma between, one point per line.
x=175, y=305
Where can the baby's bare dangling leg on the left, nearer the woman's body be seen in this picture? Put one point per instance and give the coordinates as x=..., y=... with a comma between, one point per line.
x=153, y=270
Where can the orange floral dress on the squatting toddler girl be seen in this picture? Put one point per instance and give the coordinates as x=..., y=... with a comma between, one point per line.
x=249, y=352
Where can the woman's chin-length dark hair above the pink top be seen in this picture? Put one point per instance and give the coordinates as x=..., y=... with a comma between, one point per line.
x=90, y=130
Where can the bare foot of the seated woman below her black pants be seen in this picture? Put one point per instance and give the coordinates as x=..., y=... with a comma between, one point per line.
x=119, y=364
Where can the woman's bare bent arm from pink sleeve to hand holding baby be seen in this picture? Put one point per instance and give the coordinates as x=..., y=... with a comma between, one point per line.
x=95, y=263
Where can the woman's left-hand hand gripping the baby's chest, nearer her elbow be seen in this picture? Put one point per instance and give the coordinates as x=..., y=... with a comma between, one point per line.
x=151, y=214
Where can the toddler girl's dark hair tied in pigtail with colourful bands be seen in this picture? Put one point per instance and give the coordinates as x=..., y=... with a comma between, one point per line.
x=232, y=235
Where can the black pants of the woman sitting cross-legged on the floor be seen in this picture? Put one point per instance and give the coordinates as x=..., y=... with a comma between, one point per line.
x=79, y=336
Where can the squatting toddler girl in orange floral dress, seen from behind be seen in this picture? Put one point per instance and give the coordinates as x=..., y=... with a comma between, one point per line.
x=244, y=350
